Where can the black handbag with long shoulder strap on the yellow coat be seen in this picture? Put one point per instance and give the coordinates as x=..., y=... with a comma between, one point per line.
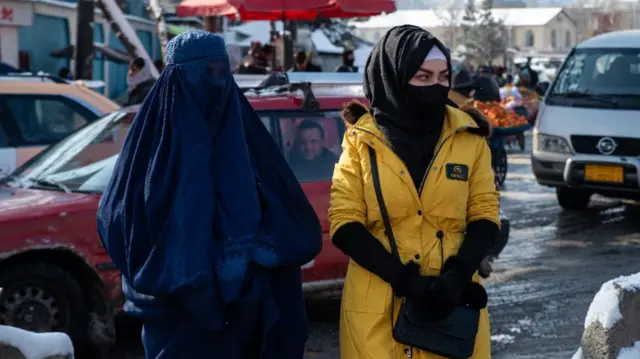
x=453, y=337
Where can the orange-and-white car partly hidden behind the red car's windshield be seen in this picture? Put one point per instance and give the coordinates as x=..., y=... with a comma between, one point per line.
x=39, y=110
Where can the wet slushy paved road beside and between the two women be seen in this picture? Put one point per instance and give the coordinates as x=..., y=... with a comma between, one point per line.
x=544, y=281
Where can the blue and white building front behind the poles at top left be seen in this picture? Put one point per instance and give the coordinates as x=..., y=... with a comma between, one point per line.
x=42, y=26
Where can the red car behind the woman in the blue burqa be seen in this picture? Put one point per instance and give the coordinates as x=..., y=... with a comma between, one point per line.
x=54, y=273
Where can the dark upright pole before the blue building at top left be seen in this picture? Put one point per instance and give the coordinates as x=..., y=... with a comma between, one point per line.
x=83, y=49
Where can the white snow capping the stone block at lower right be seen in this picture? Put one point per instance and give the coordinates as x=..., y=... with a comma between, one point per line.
x=605, y=307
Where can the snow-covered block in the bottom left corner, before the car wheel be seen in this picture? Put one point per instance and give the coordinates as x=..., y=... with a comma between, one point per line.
x=36, y=345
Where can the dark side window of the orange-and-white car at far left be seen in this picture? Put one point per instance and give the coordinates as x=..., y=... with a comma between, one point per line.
x=40, y=119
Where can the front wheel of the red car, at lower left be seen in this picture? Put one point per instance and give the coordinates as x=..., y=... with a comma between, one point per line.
x=42, y=297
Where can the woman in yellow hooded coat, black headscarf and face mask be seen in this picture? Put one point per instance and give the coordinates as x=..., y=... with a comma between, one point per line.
x=438, y=186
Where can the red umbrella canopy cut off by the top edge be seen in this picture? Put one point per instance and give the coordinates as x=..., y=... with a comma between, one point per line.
x=296, y=10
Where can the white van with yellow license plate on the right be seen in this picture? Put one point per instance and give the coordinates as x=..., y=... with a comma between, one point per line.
x=587, y=135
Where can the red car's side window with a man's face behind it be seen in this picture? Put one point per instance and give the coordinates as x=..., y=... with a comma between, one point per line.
x=311, y=143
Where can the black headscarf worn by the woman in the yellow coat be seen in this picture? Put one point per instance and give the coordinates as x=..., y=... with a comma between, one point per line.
x=392, y=63
